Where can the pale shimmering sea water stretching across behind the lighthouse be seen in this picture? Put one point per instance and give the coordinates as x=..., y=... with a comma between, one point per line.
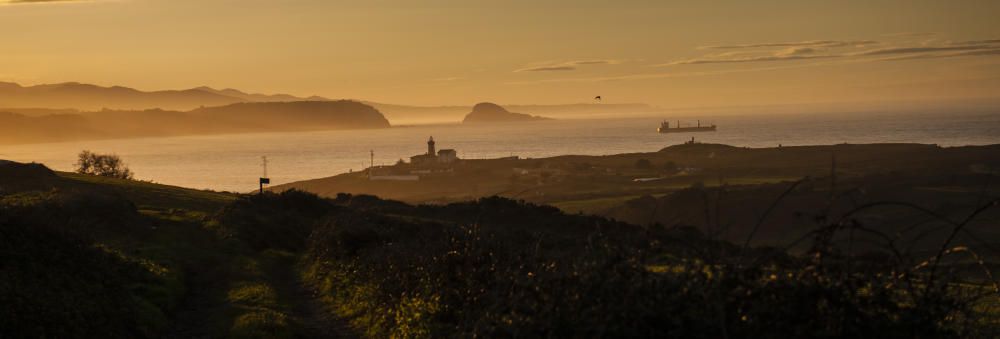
x=233, y=162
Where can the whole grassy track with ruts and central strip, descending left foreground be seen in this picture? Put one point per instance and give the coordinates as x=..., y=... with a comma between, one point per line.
x=227, y=288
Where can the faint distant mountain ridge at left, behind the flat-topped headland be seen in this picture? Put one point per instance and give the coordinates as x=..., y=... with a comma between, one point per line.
x=93, y=97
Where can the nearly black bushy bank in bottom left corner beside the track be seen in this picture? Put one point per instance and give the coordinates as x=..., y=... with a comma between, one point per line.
x=55, y=285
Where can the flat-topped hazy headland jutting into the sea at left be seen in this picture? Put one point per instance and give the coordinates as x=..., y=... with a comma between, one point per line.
x=233, y=118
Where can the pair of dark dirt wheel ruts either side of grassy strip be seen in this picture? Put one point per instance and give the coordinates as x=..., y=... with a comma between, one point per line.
x=206, y=310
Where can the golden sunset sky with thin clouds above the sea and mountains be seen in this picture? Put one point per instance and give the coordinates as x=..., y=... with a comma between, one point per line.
x=667, y=53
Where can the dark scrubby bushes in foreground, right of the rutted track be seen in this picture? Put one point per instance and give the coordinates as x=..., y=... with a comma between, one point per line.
x=507, y=277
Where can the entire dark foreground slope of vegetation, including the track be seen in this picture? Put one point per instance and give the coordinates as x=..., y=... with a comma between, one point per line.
x=89, y=256
